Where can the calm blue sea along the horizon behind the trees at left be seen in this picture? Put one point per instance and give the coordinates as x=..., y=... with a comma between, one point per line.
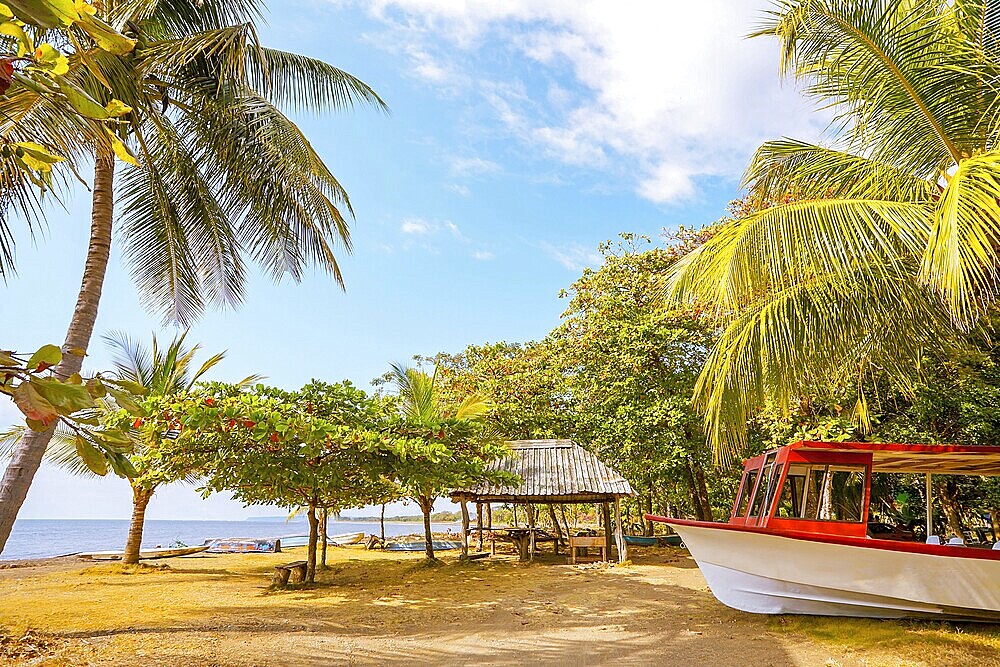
x=40, y=538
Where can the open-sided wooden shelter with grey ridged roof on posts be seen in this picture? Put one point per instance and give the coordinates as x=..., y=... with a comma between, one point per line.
x=552, y=472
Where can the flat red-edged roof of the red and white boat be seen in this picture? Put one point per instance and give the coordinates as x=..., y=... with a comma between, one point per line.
x=913, y=458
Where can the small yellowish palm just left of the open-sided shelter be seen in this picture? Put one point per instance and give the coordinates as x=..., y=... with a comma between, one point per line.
x=423, y=407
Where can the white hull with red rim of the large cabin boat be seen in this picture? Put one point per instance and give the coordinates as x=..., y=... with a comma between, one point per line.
x=773, y=574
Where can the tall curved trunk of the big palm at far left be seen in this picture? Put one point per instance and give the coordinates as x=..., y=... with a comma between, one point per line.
x=28, y=454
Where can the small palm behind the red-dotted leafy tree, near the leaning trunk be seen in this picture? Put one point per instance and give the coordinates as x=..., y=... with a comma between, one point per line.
x=158, y=372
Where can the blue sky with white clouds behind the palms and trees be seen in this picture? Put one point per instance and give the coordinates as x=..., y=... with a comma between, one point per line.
x=521, y=135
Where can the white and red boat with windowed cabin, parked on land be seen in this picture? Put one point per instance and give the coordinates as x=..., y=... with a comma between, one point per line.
x=797, y=540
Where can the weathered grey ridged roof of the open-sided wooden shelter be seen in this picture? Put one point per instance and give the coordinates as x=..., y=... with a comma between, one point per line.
x=551, y=471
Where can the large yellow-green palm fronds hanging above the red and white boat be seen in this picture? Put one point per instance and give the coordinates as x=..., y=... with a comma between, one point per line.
x=865, y=254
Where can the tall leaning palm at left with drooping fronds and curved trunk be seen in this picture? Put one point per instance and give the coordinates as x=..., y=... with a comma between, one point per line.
x=216, y=175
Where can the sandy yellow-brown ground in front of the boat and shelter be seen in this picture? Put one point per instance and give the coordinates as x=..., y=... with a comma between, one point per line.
x=373, y=608
